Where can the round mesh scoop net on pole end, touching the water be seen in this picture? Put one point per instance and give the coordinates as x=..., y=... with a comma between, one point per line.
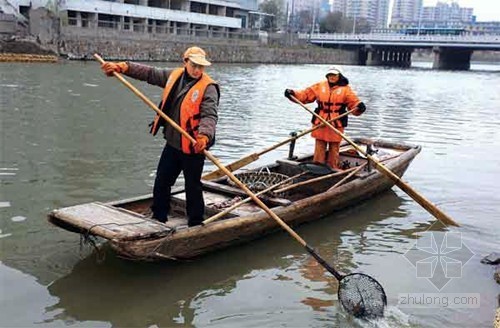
x=362, y=296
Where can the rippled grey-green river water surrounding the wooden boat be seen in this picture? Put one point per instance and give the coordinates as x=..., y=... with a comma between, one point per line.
x=70, y=135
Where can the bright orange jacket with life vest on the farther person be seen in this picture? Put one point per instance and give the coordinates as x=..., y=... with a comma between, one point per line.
x=332, y=102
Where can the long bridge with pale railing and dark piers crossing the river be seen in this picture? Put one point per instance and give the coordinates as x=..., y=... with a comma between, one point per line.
x=383, y=49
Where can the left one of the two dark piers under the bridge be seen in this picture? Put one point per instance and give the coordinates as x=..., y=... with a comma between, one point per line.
x=396, y=57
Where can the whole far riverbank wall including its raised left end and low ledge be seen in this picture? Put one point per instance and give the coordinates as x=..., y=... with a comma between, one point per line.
x=79, y=43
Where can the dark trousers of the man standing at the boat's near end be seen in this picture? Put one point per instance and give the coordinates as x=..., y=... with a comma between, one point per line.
x=172, y=162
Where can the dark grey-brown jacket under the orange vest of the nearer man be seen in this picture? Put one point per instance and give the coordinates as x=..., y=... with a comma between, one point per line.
x=208, y=108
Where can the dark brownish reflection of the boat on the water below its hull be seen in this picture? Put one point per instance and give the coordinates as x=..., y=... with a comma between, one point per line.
x=195, y=292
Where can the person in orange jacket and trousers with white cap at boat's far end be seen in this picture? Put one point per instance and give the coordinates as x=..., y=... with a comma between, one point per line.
x=334, y=97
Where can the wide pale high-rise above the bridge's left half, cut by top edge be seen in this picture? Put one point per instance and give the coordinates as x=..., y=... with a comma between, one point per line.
x=376, y=12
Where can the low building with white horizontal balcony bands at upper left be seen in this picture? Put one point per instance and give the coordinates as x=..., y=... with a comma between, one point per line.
x=200, y=17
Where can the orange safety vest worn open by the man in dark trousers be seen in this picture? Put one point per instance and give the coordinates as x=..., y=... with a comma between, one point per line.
x=190, y=107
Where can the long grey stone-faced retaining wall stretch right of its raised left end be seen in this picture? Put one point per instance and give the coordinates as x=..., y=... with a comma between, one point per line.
x=147, y=50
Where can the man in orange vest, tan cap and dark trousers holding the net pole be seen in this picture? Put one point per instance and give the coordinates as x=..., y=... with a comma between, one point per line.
x=191, y=99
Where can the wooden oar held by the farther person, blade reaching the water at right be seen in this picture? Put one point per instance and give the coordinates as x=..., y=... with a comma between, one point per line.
x=431, y=208
